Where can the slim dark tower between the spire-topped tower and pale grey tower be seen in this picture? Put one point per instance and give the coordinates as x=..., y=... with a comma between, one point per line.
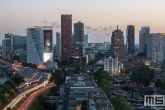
x=130, y=40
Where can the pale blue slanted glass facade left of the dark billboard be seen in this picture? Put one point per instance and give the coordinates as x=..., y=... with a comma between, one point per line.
x=34, y=45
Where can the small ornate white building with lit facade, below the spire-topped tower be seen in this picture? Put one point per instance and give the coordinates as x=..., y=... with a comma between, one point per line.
x=111, y=65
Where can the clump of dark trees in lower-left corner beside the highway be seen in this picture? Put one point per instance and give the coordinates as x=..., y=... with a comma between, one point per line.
x=8, y=89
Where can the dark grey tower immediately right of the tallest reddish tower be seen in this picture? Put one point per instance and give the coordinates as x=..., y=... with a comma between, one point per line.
x=79, y=32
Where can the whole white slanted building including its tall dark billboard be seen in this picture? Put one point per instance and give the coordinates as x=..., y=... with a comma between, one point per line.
x=39, y=44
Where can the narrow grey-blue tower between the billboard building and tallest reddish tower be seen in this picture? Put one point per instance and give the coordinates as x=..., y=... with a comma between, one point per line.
x=58, y=44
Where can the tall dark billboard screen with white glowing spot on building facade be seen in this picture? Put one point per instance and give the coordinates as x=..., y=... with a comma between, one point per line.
x=48, y=41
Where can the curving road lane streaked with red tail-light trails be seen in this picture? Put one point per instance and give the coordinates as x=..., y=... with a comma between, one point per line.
x=27, y=102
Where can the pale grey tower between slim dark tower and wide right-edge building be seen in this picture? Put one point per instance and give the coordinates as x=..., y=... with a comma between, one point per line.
x=143, y=33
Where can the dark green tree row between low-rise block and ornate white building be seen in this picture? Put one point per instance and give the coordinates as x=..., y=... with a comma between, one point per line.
x=102, y=78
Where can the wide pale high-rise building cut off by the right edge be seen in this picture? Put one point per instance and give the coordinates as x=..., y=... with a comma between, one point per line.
x=156, y=47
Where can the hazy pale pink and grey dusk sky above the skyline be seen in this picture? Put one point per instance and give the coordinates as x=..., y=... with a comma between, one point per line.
x=100, y=17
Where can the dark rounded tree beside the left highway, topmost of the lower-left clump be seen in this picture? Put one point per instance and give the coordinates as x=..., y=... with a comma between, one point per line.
x=17, y=79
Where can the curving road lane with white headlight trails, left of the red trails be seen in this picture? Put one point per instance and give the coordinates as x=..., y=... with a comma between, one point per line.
x=19, y=97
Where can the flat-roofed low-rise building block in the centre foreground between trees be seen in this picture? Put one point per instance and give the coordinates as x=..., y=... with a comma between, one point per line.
x=78, y=88
